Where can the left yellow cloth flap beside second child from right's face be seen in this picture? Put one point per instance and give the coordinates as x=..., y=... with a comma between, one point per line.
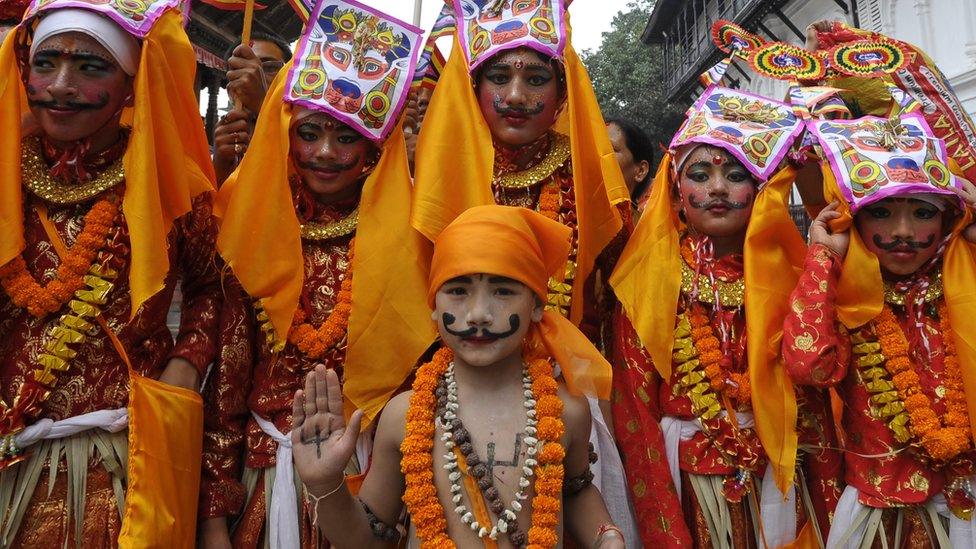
x=649, y=272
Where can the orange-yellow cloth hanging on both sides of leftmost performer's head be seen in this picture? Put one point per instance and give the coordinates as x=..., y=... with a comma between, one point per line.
x=167, y=161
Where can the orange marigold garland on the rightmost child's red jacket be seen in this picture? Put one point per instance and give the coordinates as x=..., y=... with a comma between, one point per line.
x=942, y=440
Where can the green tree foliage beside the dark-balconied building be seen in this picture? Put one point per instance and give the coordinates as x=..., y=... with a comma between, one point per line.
x=626, y=75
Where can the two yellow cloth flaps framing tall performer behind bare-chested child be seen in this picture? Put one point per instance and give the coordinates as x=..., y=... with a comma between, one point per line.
x=455, y=160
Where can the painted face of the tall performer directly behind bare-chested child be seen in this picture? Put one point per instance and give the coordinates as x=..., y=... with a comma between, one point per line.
x=520, y=97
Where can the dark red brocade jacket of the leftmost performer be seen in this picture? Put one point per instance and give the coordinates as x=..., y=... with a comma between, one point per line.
x=97, y=378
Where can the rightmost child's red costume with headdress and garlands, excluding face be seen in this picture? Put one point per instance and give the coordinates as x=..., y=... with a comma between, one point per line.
x=895, y=352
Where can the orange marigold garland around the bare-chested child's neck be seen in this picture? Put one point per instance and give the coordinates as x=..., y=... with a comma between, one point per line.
x=417, y=449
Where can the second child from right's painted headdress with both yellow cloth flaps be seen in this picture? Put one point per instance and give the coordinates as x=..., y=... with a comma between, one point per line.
x=758, y=132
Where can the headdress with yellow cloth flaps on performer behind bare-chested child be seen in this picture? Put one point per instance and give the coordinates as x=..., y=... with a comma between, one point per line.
x=455, y=156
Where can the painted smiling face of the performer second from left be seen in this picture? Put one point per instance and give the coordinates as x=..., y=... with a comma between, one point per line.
x=330, y=157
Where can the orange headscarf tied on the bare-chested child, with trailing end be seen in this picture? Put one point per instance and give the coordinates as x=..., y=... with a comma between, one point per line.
x=526, y=246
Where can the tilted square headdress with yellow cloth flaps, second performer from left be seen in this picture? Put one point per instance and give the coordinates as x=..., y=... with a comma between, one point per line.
x=355, y=64
